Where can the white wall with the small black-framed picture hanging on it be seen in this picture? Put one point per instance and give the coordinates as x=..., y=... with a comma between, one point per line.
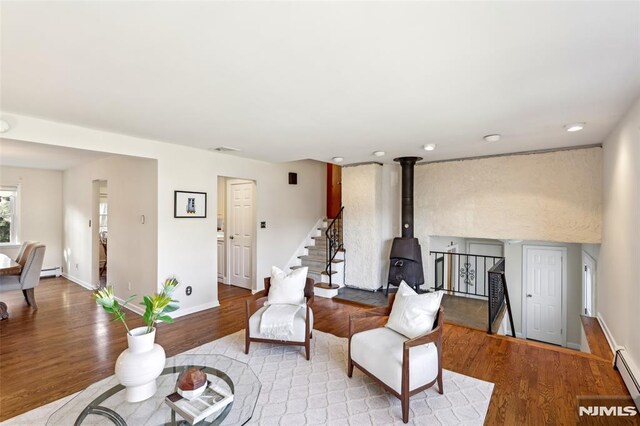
x=187, y=247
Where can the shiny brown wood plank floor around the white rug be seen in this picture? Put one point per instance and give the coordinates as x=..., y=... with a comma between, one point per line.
x=70, y=343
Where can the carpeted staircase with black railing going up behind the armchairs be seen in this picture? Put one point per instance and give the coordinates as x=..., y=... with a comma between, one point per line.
x=325, y=259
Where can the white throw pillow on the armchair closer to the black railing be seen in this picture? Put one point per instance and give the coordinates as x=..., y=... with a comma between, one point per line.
x=413, y=314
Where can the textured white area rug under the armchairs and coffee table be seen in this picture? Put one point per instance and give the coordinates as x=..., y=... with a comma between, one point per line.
x=318, y=392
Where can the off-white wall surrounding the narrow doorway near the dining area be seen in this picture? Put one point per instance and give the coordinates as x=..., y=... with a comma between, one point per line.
x=132, y=245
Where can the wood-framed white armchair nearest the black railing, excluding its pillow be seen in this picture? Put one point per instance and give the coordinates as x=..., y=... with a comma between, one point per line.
x=401, y=365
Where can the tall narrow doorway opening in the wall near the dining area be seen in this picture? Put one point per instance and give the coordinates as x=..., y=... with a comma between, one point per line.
x=100, y=232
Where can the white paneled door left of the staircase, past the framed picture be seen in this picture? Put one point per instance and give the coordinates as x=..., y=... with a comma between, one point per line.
x=241, y=230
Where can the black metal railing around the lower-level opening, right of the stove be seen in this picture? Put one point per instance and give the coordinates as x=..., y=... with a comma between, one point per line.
x=475, y=275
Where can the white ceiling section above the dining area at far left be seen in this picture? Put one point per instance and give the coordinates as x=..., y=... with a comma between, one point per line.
x=39, y=156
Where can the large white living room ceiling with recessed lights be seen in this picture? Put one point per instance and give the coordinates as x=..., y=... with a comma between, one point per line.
x=291, y=80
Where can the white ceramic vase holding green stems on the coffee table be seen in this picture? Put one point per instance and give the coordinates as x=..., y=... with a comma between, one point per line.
x=138, y=367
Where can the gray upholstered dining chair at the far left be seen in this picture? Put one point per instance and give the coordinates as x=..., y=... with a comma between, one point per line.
x=29, y=278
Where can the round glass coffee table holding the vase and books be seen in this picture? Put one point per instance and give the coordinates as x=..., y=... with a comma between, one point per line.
x=104, y=403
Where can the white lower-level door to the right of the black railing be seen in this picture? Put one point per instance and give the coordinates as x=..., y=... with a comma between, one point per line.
x=543, y=289
